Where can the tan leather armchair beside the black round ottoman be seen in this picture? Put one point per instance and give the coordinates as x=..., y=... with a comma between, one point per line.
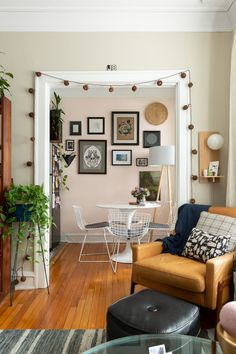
x=205, y=284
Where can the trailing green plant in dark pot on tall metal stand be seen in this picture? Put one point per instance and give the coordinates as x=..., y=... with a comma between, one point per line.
x=28, y=206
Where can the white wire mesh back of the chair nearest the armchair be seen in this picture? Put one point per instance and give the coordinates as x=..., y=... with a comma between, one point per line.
x=128, y=226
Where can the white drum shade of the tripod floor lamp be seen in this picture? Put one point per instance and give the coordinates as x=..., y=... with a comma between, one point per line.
x=162, y=155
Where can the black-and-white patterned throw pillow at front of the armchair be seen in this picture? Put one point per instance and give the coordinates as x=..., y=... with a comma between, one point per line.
x=204, y=246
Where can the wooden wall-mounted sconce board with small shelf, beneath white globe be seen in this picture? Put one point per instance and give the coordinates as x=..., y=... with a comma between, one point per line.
x=205, y=156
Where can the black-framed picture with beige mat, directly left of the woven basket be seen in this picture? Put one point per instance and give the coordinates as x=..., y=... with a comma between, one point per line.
x=125, y=128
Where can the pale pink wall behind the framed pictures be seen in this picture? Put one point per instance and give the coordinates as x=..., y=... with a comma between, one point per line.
x=115, y=186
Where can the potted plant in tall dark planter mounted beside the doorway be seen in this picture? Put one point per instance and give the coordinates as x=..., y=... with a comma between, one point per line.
x=56, y=120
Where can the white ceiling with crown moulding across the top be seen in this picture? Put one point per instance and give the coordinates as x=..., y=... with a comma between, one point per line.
x=118, y=16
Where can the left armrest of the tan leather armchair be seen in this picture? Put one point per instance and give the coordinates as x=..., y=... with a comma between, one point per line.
x=146, y=250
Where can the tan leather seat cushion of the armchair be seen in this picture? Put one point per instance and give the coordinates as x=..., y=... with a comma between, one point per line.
x=176, y=271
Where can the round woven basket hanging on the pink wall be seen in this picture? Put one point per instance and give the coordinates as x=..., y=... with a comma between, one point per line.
x=156, y=113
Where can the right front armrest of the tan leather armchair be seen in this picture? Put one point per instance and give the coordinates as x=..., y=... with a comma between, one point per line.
x=217, y=270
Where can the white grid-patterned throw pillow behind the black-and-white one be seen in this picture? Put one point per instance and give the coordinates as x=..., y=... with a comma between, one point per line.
x=218, y=225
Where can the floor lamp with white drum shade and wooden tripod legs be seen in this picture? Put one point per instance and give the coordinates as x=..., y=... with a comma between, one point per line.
x=163, y=156
